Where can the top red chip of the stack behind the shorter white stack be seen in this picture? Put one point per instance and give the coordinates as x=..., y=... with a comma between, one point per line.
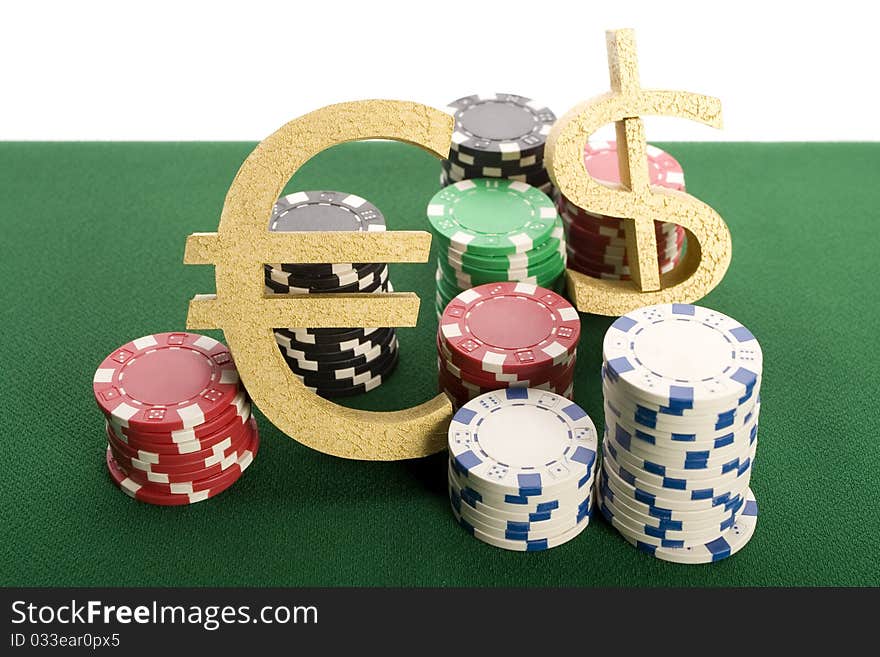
x=514, y=328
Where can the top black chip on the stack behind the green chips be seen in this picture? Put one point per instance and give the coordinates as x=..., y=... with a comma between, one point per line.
x=507, y=126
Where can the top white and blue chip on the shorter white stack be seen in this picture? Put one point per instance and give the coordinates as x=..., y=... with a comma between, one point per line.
x=523, y=441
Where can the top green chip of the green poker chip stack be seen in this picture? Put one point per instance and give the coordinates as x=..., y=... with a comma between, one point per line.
x=492, y=216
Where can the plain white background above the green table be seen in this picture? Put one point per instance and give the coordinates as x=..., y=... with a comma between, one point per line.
x=237, y=71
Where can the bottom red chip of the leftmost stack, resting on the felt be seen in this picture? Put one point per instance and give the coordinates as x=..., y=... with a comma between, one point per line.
x=182, y=493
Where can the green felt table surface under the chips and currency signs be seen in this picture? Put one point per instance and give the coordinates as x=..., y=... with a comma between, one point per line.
x=93, y=238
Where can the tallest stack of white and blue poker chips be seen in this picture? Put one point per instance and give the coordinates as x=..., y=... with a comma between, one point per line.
x=681, y=386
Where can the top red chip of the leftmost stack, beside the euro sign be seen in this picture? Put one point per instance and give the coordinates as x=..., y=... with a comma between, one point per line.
x=166, y=382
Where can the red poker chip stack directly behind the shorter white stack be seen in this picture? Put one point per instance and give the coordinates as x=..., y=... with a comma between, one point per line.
x=506, y=335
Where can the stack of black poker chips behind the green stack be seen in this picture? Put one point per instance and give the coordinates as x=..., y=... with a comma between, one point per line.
x=498, y=136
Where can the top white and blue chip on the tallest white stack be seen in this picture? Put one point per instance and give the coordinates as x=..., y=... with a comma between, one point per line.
x=683, y=357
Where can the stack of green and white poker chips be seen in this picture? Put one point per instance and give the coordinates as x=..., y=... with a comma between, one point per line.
x=493, y=231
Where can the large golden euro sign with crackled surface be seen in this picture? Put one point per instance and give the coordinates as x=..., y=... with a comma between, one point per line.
x=243, y=243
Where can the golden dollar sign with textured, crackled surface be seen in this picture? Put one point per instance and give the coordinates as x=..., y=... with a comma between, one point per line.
x=637, y=202
